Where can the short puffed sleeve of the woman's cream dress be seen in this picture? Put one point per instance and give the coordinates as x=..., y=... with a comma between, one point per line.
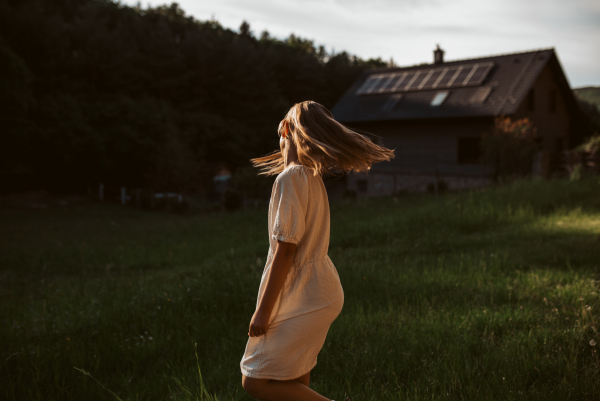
x=290, y=200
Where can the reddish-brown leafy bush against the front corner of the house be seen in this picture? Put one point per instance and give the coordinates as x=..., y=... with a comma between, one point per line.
x=509, y=147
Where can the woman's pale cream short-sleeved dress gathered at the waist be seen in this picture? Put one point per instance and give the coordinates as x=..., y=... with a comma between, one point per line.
x=312, y=296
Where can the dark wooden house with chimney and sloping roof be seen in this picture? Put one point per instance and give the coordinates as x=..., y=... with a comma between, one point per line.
x=433, y=115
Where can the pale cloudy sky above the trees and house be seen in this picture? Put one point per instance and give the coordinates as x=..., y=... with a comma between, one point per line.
x=408, y=30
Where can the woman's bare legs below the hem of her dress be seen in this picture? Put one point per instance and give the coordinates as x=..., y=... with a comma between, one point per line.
x=281, y=390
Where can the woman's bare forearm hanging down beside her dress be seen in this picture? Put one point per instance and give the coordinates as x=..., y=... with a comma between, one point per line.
x=282, y=261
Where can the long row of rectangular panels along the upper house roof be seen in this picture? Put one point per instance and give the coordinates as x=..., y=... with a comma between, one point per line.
x=427, y=78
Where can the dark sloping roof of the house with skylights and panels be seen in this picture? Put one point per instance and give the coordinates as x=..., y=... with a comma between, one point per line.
x=498, y=89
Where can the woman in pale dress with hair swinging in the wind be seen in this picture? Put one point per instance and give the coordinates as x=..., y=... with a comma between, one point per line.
x=300, y=293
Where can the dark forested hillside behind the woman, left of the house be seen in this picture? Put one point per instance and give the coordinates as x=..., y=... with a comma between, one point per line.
x=94, y=90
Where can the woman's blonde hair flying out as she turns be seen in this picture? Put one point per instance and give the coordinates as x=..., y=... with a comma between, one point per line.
x=323, y=144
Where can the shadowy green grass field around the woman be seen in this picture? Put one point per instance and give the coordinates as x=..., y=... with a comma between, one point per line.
x=485, y=295
